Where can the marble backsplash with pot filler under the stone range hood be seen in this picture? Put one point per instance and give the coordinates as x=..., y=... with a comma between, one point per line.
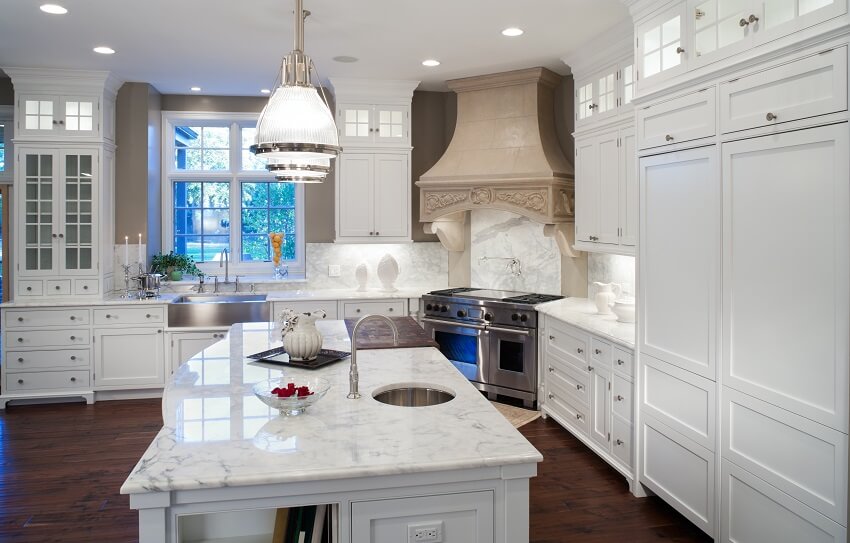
x=500, y=235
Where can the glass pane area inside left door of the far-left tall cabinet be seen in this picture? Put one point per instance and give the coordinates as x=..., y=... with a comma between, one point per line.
x=38, y=218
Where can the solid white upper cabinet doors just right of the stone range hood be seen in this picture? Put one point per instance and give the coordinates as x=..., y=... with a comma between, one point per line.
x=606, y=192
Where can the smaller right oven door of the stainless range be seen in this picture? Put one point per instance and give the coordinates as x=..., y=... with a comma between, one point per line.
x=513, y=358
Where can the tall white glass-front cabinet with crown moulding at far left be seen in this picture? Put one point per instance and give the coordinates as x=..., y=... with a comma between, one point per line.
x=64, y=179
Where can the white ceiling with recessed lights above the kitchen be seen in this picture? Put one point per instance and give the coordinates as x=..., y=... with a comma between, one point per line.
x=234, y=47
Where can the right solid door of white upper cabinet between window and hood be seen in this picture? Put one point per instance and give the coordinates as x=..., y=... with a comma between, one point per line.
x=392, y=201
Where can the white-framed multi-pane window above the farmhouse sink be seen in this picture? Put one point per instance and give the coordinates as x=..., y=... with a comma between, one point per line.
x=219, y=196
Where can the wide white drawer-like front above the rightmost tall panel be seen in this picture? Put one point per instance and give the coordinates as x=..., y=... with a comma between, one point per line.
x=810, y=86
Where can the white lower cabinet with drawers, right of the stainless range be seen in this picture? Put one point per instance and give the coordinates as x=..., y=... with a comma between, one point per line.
x=589, y=393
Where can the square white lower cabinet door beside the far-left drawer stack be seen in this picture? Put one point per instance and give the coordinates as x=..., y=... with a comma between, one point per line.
x=129, y=358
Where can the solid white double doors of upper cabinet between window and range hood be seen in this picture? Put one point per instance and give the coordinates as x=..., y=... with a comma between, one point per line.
x=373, y=201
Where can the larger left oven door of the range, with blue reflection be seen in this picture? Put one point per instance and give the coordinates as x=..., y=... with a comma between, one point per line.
x=465, y=345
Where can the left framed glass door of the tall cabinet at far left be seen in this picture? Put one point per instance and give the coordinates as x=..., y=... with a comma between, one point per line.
x=39, y=203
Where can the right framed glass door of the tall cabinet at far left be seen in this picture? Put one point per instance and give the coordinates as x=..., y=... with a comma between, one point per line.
x=78, y=200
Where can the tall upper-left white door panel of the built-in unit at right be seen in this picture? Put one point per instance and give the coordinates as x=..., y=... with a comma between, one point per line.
x=680, y=253
